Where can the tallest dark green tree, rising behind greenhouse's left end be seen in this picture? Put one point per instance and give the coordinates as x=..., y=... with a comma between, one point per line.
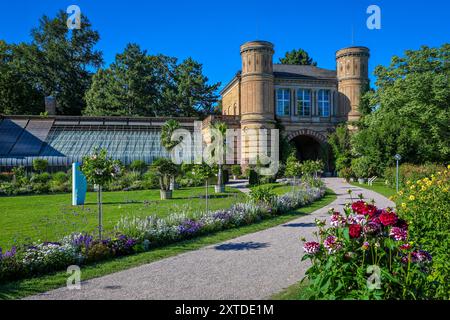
x=60, y=61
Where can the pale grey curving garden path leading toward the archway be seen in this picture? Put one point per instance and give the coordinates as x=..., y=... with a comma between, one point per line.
x=254, y=266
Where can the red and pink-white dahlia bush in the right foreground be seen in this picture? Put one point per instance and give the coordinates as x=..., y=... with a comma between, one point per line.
x=365, y=254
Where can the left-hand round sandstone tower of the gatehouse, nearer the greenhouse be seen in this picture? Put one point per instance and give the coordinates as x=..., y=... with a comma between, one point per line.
x=257, y=95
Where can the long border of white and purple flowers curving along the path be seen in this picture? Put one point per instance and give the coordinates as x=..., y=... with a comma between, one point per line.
x=134, y=235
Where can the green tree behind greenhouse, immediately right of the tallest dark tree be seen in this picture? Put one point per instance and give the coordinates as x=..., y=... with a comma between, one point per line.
x=131, y=86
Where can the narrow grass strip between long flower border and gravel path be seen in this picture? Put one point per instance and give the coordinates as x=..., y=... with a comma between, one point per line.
x=23, y=288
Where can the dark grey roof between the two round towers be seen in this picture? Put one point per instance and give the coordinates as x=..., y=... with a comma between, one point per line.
x=303, y=72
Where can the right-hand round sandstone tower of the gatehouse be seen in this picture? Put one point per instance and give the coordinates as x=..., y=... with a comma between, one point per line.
x=352, y=66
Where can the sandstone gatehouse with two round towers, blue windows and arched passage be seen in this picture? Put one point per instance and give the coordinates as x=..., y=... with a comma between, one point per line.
x=307, y=102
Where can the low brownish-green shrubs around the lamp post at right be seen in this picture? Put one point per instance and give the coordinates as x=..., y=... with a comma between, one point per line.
x=410, y=172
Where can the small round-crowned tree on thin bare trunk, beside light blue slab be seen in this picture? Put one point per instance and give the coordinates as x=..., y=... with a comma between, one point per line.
x=99, y=169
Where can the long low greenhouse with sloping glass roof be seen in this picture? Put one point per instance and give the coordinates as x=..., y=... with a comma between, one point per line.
x=64, y=140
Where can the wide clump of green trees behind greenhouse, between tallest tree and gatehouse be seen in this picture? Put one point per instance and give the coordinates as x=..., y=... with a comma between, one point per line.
x=138, y=84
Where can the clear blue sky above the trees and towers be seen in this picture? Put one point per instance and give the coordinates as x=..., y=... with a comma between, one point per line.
x=212, y=31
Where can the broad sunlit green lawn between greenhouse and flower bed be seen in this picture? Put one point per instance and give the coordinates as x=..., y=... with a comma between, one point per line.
x=24, y=219
